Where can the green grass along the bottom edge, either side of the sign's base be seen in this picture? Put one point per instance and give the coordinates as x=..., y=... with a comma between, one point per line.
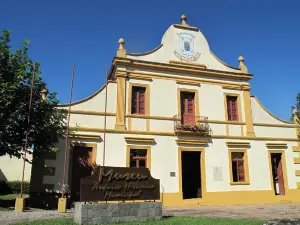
x=167, y=221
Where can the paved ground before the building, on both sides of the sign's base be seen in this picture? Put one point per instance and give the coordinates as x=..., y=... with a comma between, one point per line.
x=263, y=212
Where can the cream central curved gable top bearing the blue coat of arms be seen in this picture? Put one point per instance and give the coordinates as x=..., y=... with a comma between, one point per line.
x=184, y=43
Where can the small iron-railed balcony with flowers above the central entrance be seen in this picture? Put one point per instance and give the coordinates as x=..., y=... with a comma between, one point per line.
x=196, y=125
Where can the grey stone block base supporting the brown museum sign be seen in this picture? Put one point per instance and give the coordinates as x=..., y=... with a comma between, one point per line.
x=118, y=212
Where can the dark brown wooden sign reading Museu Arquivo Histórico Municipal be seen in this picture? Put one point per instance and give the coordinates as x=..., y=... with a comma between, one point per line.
x=119, y=184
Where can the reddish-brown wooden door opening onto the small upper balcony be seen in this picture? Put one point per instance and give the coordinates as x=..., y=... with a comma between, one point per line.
x=188, y=108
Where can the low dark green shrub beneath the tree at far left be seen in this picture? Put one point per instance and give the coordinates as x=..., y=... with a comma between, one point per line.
x=14, y=187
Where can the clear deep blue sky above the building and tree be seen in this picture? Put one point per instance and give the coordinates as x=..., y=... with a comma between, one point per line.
x=86, y=32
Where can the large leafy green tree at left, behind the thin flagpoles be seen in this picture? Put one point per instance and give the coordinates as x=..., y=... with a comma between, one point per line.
x=47, y=124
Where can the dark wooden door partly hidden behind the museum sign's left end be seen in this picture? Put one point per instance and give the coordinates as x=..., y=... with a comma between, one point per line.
x=81, y=167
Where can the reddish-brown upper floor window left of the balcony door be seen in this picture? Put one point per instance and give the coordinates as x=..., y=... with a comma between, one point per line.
x=138, y=100
